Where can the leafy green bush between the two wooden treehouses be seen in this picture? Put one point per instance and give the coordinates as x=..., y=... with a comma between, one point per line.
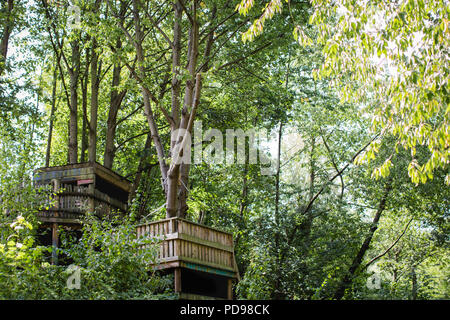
x=112, y=262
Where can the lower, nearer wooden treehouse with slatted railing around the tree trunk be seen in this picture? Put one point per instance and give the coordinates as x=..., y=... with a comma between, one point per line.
x=200, y=257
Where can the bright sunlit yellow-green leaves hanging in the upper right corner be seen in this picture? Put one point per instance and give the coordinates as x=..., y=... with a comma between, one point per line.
x=396, y=54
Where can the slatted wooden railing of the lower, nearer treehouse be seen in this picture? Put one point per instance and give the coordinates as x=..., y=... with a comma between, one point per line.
x=184, y=242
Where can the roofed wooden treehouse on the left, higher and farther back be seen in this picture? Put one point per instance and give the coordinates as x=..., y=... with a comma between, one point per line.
x=76, y=189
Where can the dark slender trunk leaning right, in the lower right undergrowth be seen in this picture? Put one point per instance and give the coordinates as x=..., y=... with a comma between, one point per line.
x=348, y=278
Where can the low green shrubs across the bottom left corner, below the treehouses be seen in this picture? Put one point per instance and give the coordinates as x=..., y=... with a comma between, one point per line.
x=108, y=257
